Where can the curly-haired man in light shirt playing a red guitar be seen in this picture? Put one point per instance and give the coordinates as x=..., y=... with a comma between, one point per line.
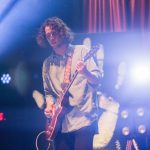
x=77, y=126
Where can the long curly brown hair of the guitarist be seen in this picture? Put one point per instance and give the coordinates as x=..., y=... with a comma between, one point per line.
x=57, y=24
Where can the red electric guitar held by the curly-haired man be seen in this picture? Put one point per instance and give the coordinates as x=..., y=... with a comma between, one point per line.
x=53, y=124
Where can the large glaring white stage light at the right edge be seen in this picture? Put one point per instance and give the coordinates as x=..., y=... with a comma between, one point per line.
x=140, y=73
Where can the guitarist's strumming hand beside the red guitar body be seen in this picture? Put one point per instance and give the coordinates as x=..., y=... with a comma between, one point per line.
x=50, y=109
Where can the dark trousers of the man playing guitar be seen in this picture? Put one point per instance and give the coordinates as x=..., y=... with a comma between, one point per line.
x=81, y=139
